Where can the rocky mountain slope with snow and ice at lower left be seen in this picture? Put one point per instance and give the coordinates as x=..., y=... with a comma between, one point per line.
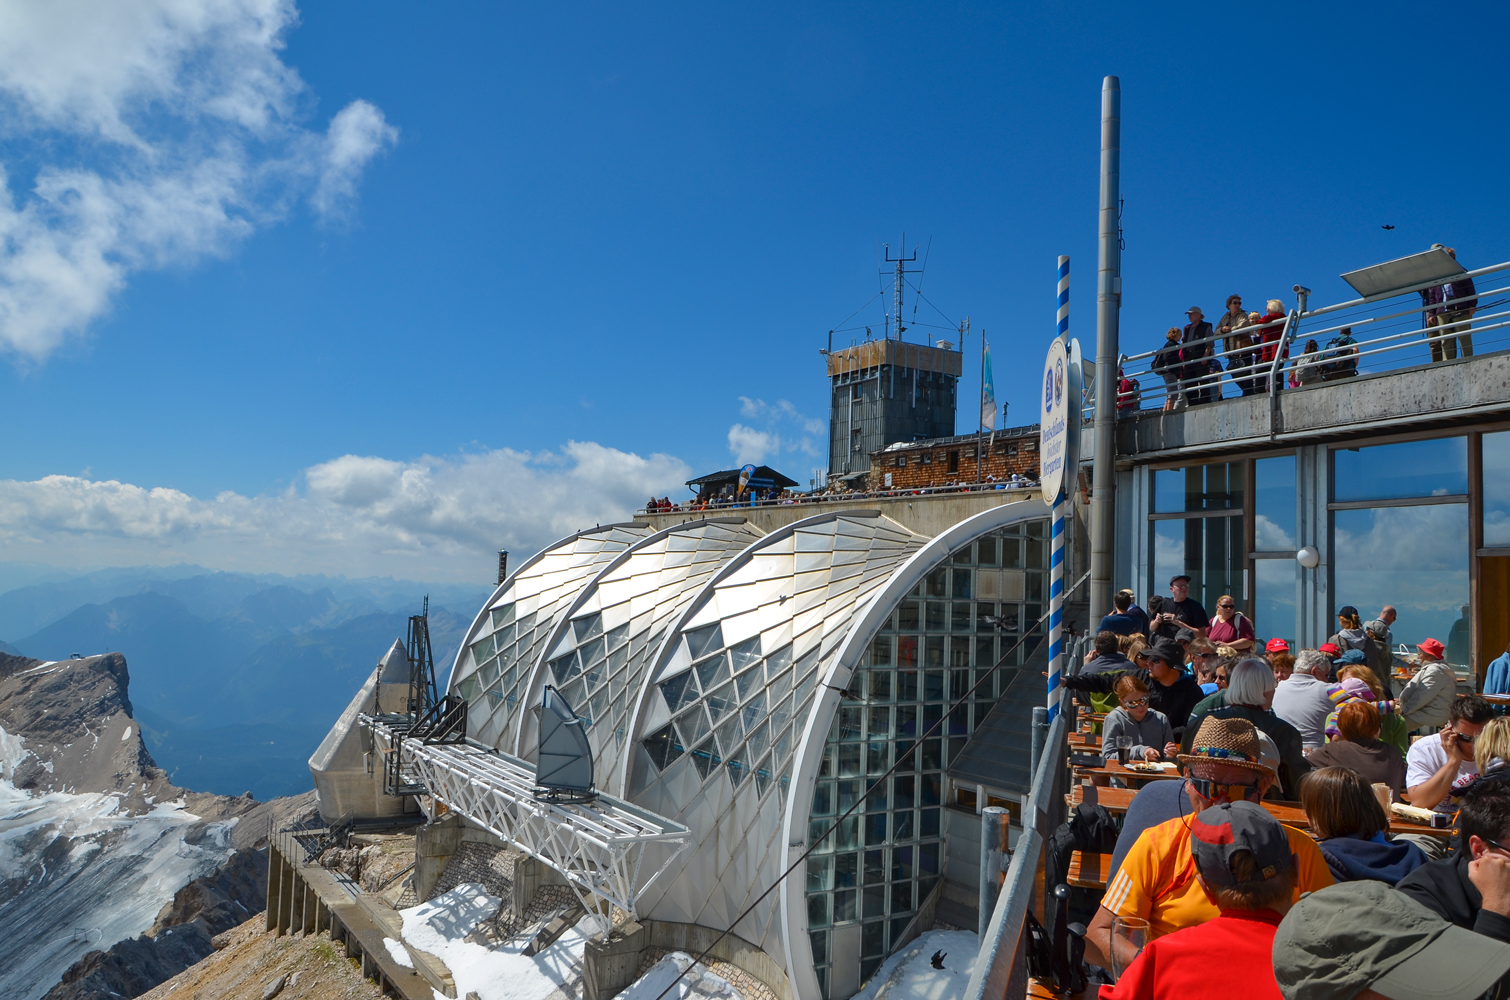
x=108, y=871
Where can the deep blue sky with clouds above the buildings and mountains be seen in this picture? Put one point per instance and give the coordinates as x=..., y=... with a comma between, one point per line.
x=581, y=244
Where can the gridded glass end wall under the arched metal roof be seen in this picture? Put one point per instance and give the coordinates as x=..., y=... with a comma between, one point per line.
x=881, y=865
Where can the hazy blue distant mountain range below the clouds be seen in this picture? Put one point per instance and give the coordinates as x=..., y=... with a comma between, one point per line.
x=236, y=679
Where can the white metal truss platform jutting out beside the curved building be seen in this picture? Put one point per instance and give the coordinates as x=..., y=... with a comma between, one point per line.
x=599, y=847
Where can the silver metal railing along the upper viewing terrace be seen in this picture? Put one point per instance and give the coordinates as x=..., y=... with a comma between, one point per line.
x=1388, y=332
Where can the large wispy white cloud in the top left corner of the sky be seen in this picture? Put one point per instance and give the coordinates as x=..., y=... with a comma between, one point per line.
x=147, y=135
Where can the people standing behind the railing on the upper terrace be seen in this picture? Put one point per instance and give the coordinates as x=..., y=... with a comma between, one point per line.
x=1245, y=345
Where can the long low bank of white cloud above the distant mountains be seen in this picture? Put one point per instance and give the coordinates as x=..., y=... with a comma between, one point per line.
x=359, y=516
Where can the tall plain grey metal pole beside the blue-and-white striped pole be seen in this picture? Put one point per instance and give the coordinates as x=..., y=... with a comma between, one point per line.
x=1109, y=300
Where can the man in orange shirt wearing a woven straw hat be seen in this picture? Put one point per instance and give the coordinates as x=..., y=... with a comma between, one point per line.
x=1157, y=880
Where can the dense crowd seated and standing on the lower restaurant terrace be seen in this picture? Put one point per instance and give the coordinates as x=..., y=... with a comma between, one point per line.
x=1343, y=909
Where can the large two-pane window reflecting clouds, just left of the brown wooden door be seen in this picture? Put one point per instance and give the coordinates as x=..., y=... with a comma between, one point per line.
x=1401, y=537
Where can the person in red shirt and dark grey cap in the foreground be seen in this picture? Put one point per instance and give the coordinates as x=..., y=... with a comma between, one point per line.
x=1248, y=869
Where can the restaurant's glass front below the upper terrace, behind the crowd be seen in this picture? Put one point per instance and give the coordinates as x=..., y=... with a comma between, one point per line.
x=1420, y=525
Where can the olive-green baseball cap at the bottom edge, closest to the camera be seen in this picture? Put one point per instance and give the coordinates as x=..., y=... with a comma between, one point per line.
x=1367, y=940
